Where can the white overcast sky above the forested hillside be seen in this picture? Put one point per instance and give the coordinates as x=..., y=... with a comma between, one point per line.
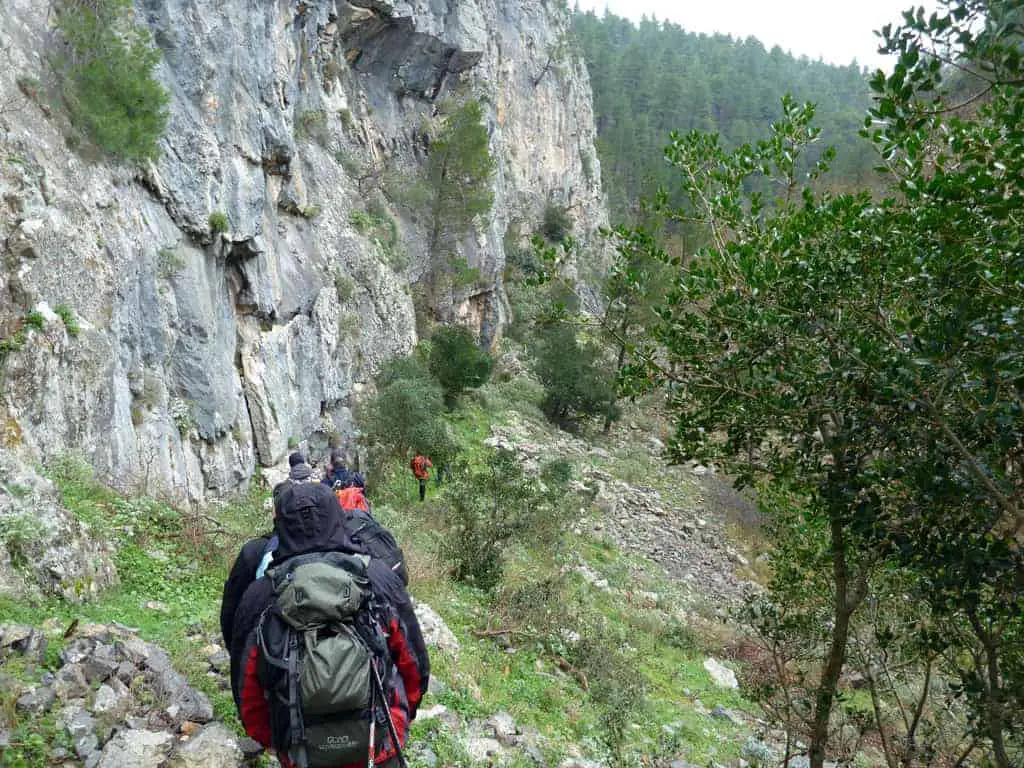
x=837, y=31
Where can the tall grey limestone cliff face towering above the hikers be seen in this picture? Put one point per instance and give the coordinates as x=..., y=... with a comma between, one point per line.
x=179, y=356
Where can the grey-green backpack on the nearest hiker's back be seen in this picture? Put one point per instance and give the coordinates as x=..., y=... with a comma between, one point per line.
x=323, y=658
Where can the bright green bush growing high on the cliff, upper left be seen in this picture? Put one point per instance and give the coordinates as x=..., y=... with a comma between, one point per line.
x=107, y=77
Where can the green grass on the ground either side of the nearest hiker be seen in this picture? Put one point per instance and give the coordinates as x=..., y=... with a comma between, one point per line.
x=167, y=556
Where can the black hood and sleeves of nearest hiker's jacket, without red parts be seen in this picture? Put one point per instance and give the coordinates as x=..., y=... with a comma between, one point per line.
x=310, y=520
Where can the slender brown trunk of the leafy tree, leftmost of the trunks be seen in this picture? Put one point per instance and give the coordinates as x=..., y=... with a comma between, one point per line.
x=845, y=604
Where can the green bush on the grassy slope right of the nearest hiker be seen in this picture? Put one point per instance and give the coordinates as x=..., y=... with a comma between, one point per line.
x=492, y=507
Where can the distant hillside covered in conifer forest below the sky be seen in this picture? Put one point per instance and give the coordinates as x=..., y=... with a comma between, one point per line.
x=655, y=78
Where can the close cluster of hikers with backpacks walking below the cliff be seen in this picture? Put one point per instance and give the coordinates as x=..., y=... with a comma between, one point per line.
x=328, y=661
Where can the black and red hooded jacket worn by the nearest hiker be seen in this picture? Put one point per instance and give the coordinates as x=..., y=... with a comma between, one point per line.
x=310, y=520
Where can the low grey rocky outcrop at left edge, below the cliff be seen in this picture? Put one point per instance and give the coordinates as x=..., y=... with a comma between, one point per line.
x=45, y=551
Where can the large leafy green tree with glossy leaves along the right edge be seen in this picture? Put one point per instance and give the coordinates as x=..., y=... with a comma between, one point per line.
x=867, y=354
